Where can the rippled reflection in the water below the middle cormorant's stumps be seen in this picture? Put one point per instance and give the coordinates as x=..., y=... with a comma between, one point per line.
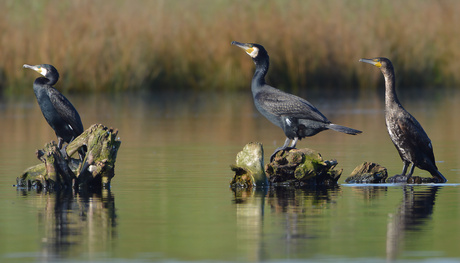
x=296, y=204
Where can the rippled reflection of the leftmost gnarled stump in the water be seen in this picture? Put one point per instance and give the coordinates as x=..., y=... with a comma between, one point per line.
x=68, y=222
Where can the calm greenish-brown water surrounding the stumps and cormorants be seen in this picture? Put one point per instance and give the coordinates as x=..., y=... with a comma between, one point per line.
x=170, y=199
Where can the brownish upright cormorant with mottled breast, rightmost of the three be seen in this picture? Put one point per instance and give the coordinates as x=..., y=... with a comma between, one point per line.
x=405, y=131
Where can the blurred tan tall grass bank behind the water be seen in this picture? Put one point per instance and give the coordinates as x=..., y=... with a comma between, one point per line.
x=185, y=44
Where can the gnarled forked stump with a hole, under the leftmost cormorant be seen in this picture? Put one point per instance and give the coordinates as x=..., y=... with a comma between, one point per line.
x=58, y=171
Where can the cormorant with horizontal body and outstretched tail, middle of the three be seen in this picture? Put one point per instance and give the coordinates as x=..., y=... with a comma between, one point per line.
x=296, y=116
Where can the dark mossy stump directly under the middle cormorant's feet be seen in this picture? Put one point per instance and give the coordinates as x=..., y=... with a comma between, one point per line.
x=302, y=167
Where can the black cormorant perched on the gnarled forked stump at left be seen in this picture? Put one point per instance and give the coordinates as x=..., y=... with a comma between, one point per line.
x=57, y=110
